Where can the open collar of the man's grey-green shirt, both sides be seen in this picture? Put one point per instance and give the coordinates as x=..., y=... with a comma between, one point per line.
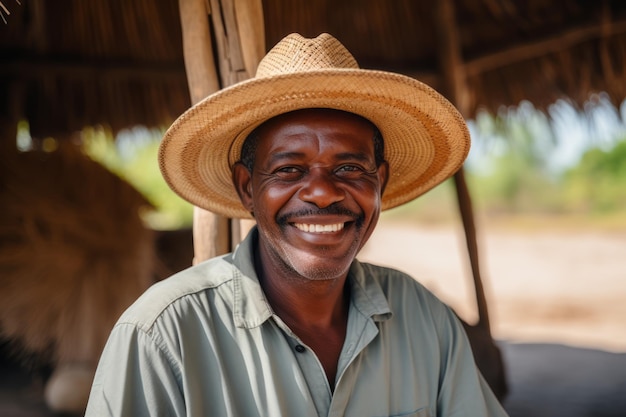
x=251, y=308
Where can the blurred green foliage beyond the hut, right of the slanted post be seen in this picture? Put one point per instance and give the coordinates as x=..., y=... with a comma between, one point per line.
x=515, y=176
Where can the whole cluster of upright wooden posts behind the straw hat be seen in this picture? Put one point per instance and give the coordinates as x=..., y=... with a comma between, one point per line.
x=240, y=41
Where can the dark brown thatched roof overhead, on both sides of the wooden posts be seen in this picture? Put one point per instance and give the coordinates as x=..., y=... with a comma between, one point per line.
x=72, y=63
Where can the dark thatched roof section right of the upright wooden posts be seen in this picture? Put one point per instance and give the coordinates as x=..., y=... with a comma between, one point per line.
x=506, y=51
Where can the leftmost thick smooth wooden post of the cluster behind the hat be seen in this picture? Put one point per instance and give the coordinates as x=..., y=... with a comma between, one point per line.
x=211, y=234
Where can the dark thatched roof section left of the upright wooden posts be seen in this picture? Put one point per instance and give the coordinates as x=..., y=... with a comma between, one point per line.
x=71, y=64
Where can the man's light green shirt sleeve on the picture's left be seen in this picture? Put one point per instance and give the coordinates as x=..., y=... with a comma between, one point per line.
x=135, y=377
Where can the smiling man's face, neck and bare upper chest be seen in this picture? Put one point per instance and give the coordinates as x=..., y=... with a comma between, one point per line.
x=315, y=192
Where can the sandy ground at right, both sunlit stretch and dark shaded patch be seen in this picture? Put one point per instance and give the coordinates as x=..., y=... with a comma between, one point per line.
x=557, y=303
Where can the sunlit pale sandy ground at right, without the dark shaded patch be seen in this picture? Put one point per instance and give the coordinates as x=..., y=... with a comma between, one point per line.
x=542, y=286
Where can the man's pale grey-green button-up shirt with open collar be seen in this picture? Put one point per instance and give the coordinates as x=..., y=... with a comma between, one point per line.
x=205, y=342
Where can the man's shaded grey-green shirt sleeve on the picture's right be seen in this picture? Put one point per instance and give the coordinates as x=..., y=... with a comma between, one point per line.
x=463, y=390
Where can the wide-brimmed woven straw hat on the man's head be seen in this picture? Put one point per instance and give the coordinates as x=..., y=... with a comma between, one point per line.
x=426, y=139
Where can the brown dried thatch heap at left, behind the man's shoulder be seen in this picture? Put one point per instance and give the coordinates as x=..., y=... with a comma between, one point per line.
x=73, y=252
